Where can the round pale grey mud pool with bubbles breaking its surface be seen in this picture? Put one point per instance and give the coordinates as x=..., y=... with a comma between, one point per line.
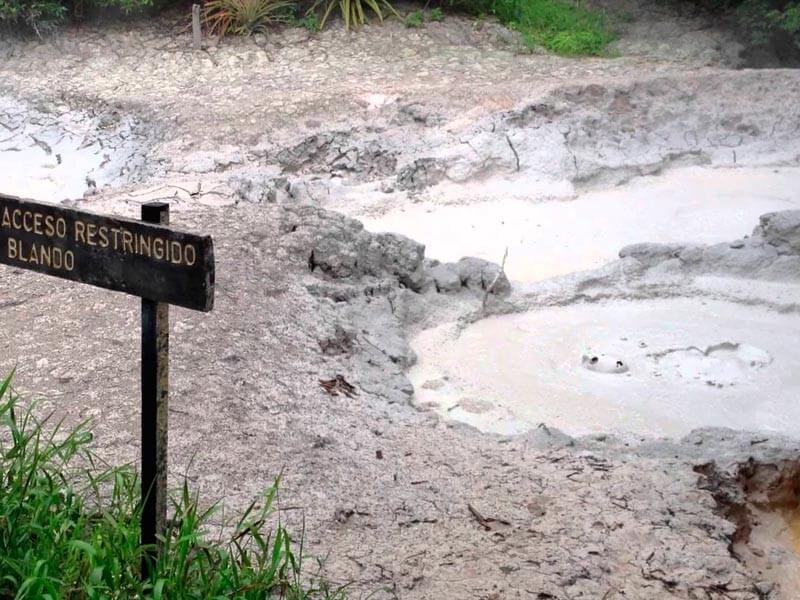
x=688, y=364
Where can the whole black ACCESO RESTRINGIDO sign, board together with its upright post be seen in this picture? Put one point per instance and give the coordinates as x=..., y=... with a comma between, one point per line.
x=143, y=258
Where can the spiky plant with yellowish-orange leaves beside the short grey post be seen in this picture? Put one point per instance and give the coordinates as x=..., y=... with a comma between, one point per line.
x=244, y=17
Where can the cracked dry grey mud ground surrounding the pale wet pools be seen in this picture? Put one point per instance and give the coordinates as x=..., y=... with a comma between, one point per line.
x=257, y=142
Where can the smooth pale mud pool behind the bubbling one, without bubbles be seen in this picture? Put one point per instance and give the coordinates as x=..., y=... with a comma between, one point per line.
x=546, y=239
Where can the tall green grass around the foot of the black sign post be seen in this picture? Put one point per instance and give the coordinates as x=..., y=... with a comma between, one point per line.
x=69, y=528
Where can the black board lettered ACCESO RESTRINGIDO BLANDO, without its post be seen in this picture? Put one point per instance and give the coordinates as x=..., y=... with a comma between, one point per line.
x=151, y=261
